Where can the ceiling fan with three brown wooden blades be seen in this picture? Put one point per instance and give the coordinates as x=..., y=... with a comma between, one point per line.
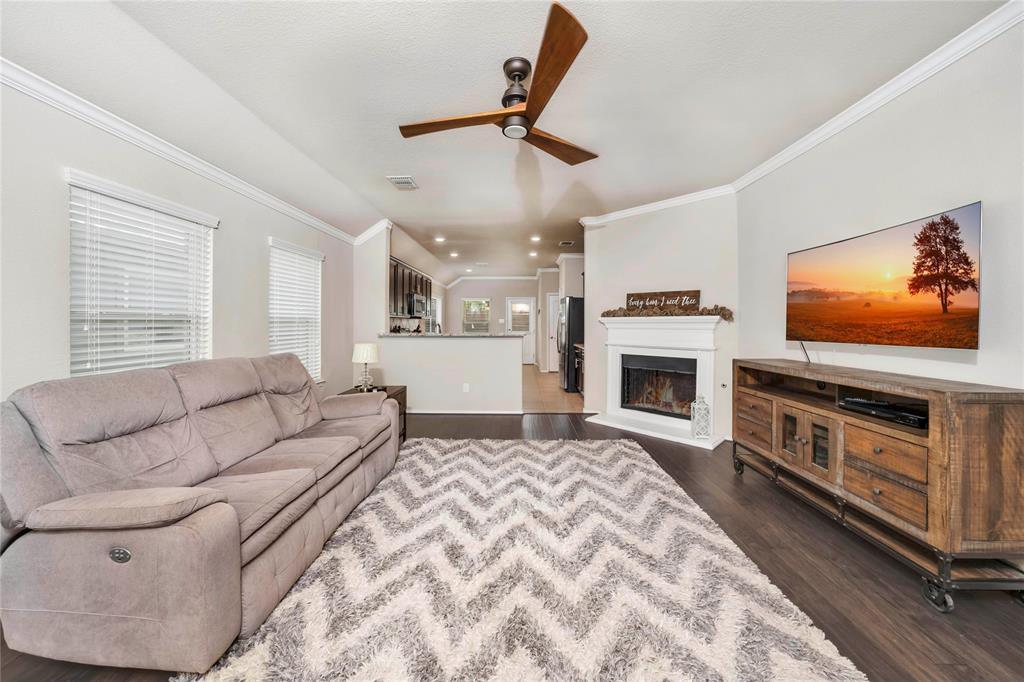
x=564, y=38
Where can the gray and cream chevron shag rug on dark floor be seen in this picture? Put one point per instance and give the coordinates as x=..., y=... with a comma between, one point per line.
x=530, y=561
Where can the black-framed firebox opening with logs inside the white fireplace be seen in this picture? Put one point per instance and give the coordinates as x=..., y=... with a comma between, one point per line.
x=660, y=386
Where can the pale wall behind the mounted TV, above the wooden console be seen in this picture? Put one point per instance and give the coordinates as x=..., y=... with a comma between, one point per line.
x=952, y=141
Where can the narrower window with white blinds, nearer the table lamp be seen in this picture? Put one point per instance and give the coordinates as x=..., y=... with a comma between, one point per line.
x=295, y=304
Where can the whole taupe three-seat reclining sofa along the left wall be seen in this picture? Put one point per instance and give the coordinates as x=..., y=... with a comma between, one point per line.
x=152, y=517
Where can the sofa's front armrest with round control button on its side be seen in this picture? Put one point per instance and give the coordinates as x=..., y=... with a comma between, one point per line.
x=170, y=599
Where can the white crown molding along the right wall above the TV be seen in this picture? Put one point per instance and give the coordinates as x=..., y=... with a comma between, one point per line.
x=989, y=28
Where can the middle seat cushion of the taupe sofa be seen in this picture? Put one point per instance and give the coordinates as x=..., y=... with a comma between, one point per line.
x=330, y=459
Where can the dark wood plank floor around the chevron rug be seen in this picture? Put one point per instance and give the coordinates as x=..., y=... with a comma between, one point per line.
x=867, y=604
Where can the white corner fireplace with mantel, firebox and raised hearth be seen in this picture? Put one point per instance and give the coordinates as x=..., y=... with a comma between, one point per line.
x=656, y=368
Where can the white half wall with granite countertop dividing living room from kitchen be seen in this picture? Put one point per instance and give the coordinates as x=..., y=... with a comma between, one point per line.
x=456, y=373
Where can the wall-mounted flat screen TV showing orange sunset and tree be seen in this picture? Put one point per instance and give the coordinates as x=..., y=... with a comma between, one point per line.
x=913, y=285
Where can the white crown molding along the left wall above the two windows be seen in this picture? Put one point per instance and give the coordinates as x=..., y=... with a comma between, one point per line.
x=39, y=89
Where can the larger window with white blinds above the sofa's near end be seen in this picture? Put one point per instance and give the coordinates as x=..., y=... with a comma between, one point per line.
x=141, y=286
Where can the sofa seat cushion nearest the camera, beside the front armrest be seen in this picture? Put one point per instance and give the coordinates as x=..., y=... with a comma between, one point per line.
x=259, y=497
